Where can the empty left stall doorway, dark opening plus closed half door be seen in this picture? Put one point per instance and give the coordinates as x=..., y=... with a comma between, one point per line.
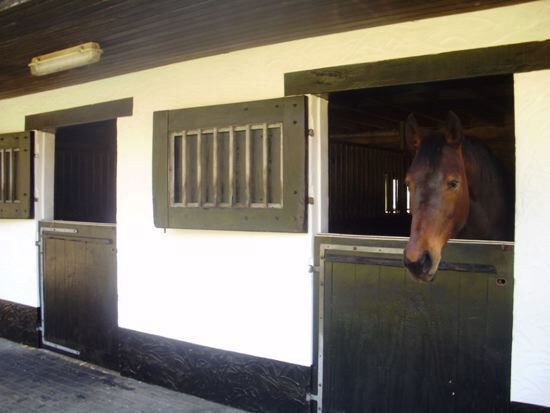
x=79, y=284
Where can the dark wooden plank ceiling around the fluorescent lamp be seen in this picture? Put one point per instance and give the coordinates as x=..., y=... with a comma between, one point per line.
x=141, y=34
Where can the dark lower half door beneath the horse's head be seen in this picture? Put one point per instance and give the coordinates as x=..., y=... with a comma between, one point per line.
x=391, y=344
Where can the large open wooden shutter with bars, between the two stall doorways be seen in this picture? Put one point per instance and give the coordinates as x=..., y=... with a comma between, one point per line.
x=232, y=167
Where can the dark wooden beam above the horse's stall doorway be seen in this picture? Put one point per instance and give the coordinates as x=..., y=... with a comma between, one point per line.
x=514, y=58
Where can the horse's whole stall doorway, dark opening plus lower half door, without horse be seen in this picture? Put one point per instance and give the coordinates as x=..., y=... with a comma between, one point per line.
x=386, y=341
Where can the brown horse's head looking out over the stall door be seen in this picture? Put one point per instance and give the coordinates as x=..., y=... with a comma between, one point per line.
x=439, y=194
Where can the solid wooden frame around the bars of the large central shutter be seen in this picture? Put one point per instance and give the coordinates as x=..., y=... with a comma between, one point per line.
x=290, y=216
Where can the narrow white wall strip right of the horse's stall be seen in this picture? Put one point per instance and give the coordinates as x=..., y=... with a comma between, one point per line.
x=531, y=342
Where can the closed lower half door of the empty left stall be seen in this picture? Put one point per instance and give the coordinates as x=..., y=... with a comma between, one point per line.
x=79, y=290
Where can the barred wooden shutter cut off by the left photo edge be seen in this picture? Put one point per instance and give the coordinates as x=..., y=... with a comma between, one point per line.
x=15, y=175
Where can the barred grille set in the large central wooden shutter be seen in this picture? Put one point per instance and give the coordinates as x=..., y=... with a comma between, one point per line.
x=234, y=166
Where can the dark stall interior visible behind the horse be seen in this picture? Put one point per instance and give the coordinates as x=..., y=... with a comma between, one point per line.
x=368, y=157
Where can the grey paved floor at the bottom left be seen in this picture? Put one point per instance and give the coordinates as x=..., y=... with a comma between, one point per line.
x=36, y=380
